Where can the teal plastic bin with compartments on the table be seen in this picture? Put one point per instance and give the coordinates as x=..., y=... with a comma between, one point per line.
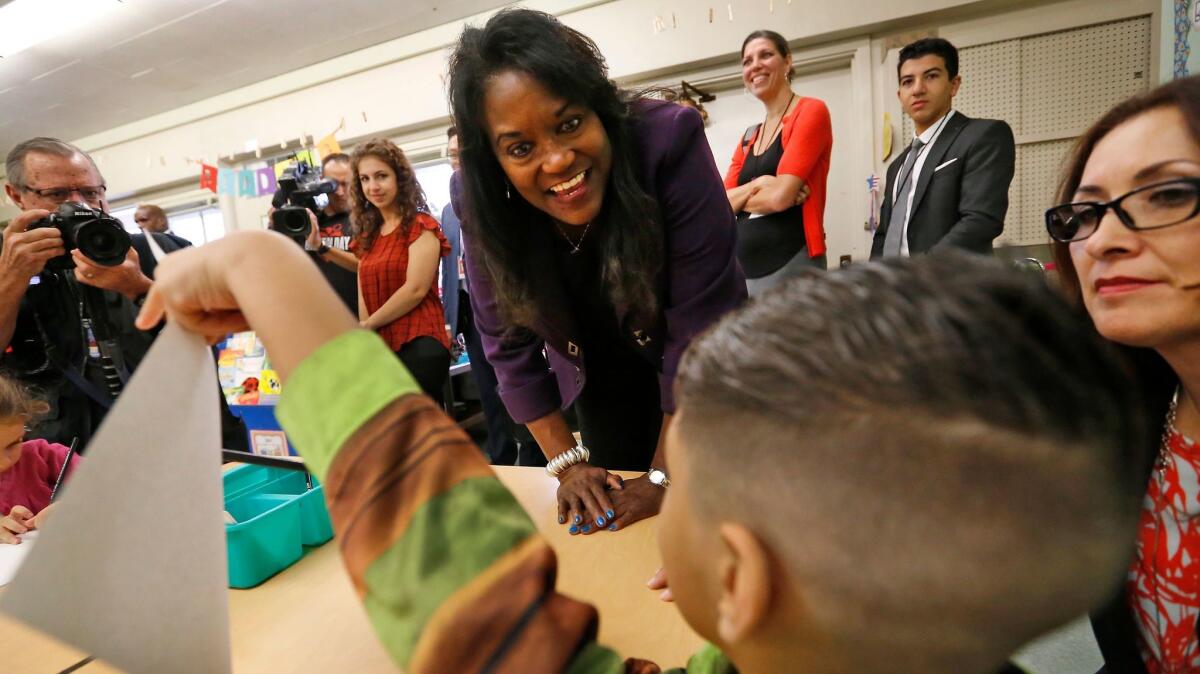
x=278, y=515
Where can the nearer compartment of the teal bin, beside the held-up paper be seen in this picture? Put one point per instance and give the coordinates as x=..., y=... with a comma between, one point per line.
x=265, y=541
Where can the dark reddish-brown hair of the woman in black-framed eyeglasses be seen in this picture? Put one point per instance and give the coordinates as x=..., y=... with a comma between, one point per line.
x=1184, y=94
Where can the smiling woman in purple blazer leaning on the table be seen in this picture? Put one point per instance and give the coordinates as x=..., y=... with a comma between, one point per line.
x=599, y=243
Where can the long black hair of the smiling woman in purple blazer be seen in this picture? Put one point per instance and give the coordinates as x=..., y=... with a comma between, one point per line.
x=628, y=231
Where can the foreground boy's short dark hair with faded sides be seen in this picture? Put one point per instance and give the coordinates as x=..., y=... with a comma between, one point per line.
x=940, y=452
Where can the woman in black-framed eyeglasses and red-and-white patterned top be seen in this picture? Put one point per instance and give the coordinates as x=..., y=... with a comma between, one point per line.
x=1127, y=242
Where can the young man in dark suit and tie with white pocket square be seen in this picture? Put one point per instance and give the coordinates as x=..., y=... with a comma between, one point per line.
x=950, y=188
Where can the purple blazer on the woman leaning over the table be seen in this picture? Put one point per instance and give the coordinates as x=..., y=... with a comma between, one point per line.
x=701, y=278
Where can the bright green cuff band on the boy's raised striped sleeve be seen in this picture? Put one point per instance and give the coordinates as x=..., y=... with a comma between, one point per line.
x=337, y=390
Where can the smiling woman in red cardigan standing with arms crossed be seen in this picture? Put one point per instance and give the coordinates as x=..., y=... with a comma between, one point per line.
x=777, y=182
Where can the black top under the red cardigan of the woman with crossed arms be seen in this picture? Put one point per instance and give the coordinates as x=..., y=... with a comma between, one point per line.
x=767, y=243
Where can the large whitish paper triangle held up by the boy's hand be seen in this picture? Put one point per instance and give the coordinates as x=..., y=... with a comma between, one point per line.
x=133, y=567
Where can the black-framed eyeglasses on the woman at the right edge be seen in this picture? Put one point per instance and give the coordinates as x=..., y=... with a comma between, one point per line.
x=1153, y=207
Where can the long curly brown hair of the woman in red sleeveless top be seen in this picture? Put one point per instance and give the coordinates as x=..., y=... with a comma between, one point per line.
x=410, y=197
